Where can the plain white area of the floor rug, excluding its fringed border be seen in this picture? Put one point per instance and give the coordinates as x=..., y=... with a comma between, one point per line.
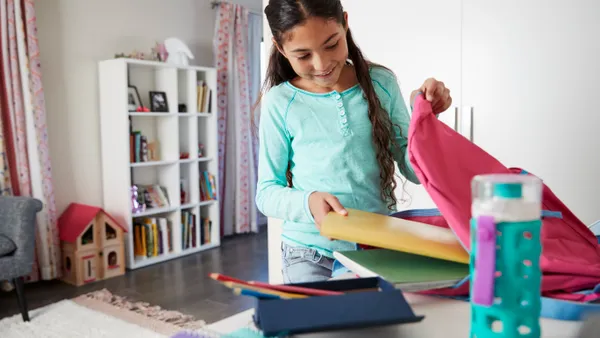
x=69, y=319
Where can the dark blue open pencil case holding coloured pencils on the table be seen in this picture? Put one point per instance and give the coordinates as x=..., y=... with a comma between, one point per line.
x=373, y=302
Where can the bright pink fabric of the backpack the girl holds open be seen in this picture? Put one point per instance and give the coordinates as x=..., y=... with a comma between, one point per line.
x=445, y=162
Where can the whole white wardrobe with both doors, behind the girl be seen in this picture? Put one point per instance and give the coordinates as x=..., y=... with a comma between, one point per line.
x=524, y=77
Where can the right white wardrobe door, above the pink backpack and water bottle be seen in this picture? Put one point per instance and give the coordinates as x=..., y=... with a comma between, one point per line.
x=530, y=73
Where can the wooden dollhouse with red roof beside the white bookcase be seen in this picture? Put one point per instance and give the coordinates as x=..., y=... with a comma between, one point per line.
x=92, y=243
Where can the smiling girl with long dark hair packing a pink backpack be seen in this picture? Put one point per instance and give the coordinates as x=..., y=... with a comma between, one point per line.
x=331, y=127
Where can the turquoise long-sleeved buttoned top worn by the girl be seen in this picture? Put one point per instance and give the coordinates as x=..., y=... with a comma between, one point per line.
x=326, y=139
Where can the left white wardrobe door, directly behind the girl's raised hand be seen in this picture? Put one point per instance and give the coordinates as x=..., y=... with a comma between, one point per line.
x=417, y=40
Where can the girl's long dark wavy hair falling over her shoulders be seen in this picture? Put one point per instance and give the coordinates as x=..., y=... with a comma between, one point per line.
x=282, y=16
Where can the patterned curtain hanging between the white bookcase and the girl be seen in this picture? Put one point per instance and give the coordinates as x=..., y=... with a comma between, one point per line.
x=236, y=154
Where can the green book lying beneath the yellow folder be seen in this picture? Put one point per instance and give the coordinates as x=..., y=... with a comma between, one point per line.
x=406, y=271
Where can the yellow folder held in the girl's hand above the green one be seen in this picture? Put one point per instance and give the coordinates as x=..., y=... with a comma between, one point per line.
x=395, y=234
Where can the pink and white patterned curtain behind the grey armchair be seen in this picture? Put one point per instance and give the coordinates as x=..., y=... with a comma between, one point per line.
x=24, y=158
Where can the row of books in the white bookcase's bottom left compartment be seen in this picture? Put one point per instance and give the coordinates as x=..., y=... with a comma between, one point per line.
x=152, y=237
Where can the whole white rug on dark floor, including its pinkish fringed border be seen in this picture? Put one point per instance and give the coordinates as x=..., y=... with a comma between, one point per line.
x=101, y=314
